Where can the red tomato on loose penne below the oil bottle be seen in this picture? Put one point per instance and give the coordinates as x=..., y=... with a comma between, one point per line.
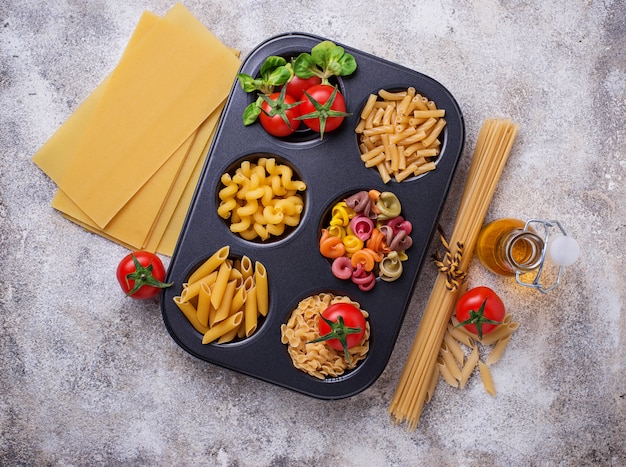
x=480, y=310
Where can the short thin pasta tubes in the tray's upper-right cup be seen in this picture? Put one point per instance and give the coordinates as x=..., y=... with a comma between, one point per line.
x=399, y=134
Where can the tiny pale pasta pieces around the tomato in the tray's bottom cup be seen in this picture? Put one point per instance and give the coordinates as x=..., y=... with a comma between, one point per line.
x=318, y=359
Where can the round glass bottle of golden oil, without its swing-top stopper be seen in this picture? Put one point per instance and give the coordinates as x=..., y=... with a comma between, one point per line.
x=505, y=247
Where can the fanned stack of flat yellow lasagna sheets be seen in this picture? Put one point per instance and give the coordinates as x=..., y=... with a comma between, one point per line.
x=128, y=159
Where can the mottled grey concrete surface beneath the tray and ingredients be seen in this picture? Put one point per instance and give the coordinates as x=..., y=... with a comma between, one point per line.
x=88, y=377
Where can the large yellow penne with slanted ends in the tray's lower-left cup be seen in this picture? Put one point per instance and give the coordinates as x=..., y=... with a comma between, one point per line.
x=224, y=298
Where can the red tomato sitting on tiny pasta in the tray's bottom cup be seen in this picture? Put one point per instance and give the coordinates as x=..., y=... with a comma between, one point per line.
x=342, y=327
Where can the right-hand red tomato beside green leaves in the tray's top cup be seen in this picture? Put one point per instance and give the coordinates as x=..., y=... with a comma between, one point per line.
x=323, y=108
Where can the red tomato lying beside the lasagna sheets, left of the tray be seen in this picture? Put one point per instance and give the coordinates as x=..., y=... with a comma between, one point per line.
x=140, y=275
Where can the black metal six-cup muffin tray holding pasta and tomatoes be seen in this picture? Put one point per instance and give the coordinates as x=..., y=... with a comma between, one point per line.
x=332, y=170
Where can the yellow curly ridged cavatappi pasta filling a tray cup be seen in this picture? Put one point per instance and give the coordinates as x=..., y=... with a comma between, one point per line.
x=261, y=199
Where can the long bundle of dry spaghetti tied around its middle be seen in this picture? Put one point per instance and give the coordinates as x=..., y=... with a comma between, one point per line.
x=493, y=146
